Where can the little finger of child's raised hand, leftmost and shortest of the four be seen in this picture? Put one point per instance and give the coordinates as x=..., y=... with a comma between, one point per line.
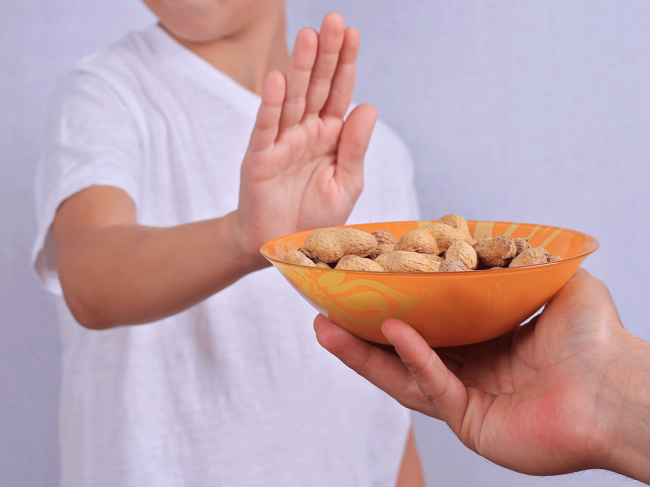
x=267, y=123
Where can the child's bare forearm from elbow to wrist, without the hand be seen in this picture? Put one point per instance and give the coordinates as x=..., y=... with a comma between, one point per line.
x=129, y=274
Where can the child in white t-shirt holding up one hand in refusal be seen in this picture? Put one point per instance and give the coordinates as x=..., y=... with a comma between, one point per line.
x=153, y=200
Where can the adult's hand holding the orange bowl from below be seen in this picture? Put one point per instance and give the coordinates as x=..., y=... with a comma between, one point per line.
x=567, y=391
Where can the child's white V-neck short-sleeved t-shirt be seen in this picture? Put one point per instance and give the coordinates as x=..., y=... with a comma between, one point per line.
x=235, y=391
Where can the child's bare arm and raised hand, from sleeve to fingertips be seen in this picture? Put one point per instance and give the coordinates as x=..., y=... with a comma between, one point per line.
x=303, y=169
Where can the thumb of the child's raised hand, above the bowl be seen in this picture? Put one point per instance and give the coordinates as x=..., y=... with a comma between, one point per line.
x=353, y=144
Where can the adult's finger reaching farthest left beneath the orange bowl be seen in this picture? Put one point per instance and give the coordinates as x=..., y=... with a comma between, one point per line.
x=380, y=367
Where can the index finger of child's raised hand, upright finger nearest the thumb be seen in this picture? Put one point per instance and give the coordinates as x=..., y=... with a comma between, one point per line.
x=340, y=95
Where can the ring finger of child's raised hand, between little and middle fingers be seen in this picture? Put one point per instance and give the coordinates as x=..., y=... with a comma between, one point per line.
x=302, y=62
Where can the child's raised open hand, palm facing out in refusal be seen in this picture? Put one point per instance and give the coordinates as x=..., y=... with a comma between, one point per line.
x=304, y=165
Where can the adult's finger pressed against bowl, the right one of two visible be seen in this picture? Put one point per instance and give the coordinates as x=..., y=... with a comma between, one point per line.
x=444, y=390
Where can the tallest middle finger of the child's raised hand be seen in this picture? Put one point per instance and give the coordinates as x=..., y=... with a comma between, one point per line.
x=330, y=41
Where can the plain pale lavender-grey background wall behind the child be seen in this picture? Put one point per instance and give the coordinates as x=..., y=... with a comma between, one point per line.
x=535, y=111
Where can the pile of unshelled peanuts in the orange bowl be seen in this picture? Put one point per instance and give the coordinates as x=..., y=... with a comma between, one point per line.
x=445, y=246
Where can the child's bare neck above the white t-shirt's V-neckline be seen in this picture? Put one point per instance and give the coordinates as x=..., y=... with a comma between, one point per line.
x=249, y=55
